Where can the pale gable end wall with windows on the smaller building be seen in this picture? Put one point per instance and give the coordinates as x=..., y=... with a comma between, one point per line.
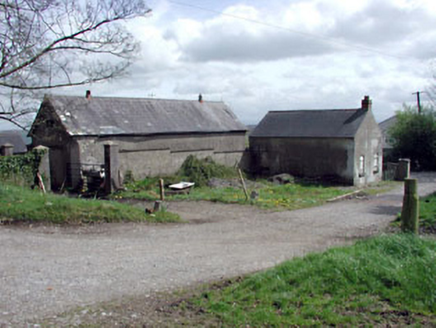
x=369, y=144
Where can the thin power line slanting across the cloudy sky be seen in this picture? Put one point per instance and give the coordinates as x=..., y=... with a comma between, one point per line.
x=287, y=29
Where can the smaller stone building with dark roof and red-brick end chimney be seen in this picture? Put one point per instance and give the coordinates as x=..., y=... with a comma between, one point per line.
x=342, y=145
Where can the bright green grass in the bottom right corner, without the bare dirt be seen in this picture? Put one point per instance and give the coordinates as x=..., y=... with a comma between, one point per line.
x=371, y=283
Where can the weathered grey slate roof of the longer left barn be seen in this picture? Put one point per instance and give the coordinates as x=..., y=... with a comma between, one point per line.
x=141, y=116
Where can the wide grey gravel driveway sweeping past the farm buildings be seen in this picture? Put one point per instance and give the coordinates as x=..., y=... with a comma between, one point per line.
x=47, y=270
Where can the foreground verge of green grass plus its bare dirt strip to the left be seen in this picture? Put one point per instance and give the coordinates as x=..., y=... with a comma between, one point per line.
x=385, y=281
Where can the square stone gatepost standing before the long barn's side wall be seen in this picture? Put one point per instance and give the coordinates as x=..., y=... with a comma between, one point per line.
x=111, y=168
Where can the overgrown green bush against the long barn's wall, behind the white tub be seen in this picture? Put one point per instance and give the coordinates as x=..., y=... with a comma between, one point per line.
x=201, y=171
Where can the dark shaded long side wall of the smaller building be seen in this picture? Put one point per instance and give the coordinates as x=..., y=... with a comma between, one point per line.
x=308, y=157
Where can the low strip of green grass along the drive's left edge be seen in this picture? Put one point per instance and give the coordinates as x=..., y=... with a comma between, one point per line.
x=18, y=204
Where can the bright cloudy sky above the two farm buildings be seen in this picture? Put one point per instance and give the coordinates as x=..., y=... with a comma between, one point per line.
x=283, y=54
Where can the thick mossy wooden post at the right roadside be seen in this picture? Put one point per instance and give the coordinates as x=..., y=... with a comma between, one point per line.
x=410, y=211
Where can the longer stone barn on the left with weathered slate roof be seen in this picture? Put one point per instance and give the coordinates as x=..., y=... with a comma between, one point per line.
x=153, y=136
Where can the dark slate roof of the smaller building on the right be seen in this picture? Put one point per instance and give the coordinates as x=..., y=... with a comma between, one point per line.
x=342, y=123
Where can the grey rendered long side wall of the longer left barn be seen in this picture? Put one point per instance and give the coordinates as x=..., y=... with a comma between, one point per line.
x=162, y=155
